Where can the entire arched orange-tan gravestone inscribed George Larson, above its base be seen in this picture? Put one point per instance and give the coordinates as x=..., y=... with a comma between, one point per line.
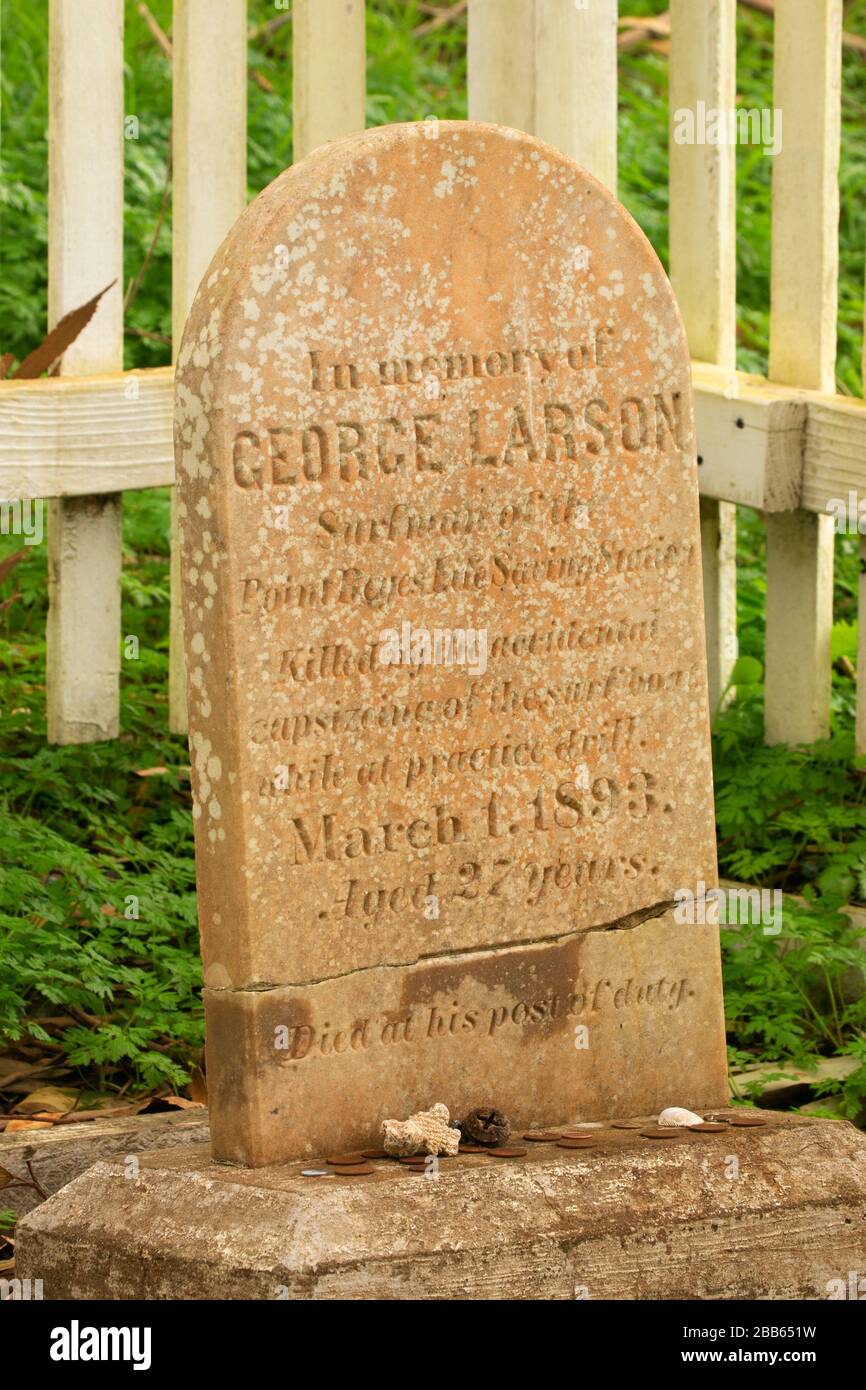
x=436, y=390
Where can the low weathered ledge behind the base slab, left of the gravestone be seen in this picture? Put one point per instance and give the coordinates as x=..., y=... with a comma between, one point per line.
x=65, y=1152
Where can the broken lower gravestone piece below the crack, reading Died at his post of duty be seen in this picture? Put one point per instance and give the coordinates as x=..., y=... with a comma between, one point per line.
x=600, y=1024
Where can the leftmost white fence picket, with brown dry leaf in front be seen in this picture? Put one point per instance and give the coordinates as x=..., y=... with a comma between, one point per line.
x=85, y=254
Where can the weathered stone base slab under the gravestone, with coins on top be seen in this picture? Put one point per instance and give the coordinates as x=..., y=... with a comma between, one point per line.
x=761, y=1213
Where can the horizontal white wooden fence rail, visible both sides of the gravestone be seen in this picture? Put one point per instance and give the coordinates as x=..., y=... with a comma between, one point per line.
x=761, y=445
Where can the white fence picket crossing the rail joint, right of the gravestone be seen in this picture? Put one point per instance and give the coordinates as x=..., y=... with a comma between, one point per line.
x=807, y=90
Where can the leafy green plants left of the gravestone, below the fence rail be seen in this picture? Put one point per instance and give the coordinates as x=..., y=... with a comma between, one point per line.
x=85, y=842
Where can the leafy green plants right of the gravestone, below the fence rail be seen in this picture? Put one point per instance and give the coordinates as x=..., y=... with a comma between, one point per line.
x=793, y=819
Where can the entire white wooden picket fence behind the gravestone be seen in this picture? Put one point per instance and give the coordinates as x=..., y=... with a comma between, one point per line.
x=786, y=445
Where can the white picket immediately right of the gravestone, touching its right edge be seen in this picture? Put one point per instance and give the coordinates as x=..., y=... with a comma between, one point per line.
x=704, y=270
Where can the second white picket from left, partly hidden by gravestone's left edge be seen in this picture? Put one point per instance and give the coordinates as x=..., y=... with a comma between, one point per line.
x=209, y=194
